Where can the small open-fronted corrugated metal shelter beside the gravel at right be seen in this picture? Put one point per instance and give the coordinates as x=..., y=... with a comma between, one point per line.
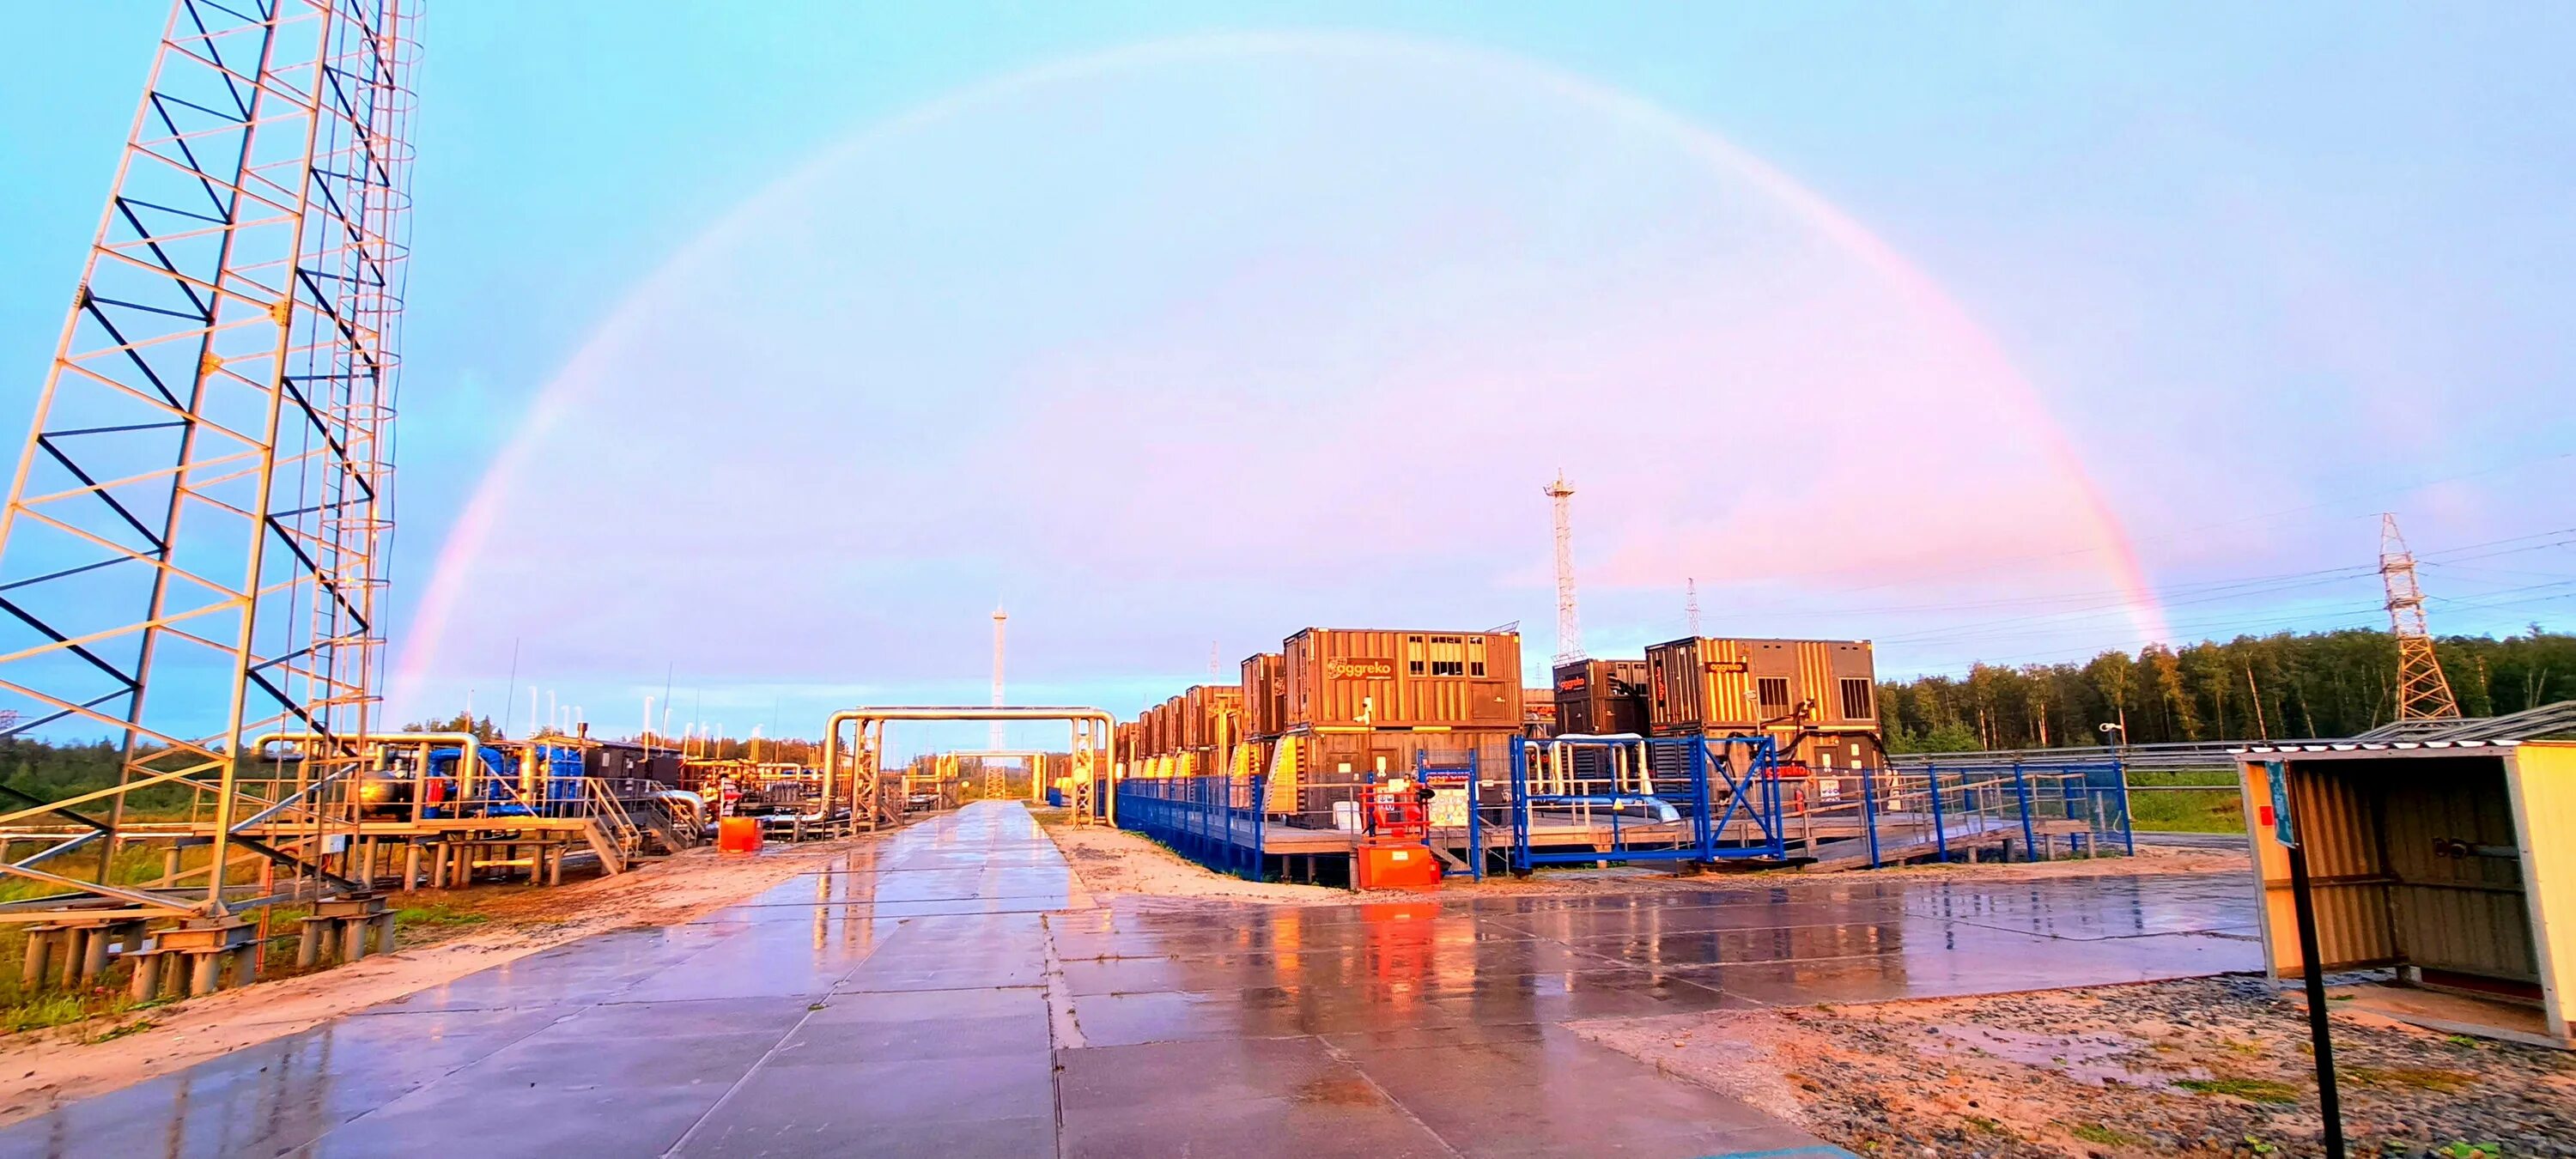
x=2448, y=859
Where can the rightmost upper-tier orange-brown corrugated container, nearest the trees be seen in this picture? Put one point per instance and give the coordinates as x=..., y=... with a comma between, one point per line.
x=1761, y=684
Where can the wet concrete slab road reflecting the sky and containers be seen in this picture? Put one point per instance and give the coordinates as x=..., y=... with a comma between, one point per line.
x=949, y=993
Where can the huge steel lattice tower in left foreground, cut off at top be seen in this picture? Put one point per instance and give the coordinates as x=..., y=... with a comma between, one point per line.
x=192, y=555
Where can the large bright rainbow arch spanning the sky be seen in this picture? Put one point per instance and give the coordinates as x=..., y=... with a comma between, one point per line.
x=568, y=390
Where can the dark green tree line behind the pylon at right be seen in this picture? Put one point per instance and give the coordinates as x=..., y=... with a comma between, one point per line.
x=2284, y=686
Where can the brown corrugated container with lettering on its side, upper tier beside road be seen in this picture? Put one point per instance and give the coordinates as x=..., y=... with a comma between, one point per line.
x=1372, y=679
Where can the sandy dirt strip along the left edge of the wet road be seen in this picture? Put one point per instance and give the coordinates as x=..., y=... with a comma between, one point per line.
x=53, y=1068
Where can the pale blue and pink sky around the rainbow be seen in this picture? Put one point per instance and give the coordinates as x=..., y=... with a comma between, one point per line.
x=2268, y=272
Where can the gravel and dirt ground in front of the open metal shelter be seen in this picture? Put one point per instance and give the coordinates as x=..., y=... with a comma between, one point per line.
x=2196, y=1068
